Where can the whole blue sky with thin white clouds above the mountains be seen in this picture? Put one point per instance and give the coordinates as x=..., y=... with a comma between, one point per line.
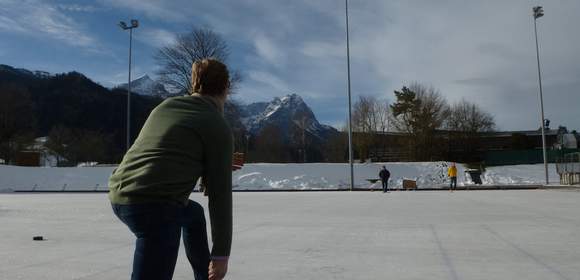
x=482, y=51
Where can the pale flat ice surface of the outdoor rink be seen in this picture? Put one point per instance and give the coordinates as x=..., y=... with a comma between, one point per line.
x=520, y=234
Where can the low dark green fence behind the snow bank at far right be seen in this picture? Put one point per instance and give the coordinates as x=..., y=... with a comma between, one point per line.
x=513, y=157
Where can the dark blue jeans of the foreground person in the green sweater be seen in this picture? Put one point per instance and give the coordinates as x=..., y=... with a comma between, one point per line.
x=158, y=230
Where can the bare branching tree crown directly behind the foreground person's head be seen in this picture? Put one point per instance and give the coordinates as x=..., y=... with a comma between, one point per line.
x=176, y=59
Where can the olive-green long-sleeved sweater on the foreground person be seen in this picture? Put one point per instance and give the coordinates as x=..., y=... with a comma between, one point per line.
x=183, y=139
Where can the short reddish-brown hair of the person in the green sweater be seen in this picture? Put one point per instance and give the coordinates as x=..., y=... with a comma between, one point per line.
x=209, y=77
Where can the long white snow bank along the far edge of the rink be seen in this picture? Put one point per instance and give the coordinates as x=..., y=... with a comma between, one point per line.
x=267, y=176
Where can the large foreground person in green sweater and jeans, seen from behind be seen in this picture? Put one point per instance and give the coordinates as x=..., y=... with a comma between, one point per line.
x=183, y=139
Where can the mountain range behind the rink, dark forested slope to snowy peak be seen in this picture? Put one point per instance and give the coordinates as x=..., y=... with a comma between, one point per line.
x=74, y=102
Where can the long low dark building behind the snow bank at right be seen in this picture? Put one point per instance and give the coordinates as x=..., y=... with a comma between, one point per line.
x=493, y=148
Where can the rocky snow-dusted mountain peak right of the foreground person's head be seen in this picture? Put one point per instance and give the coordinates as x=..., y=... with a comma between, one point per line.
x=286, y=113
